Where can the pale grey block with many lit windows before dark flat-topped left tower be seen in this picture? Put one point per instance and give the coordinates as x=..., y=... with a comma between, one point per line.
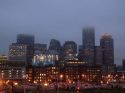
x=18, y=55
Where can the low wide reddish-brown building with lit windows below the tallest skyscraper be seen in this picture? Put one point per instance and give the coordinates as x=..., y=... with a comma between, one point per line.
x=75, y=71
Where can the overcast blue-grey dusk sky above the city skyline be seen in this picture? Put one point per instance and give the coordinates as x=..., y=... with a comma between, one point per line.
x=62, y=20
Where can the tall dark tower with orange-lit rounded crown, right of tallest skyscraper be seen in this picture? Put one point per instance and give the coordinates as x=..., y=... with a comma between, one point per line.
x=106, y=43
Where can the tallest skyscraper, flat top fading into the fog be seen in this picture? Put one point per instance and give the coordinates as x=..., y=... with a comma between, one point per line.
x=88, y=44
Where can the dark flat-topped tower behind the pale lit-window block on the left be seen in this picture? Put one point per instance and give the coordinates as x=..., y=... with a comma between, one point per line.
x=27, y=40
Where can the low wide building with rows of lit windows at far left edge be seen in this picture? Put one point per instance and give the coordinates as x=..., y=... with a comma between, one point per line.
x=11, y=69
